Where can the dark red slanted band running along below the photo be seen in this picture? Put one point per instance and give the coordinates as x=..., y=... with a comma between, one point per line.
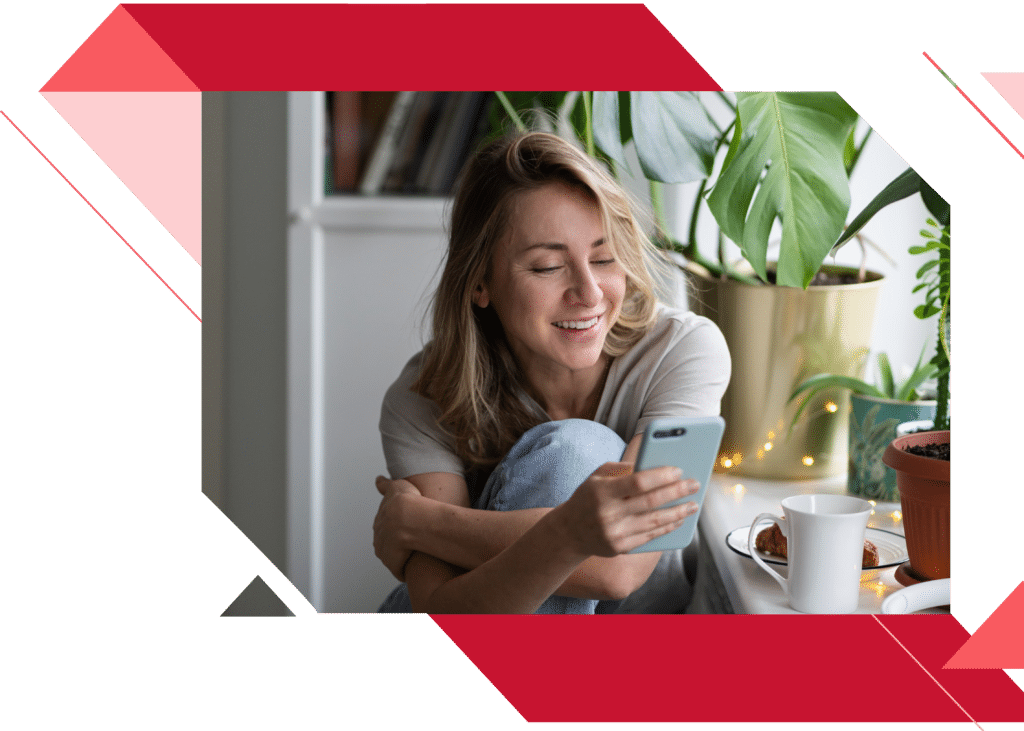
x=662, y=669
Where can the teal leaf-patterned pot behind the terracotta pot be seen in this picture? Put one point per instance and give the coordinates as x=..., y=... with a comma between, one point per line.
x=873, y=426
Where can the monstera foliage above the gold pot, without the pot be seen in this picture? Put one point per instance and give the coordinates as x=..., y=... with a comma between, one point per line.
x=789, y=159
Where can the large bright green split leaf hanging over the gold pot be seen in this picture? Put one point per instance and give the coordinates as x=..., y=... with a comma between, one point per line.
x=787, y=164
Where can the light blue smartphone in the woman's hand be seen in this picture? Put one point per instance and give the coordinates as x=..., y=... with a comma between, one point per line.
x=692, y=445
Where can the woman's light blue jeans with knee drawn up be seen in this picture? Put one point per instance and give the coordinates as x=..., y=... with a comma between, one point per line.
x=543, y=470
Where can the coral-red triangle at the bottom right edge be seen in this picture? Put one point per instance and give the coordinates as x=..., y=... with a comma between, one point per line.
x=999, y=643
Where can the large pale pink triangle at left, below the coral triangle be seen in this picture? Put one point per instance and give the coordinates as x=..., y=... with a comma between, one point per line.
x=152, y=141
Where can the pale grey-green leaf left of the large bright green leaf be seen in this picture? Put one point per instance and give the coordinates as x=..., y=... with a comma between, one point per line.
x=675, y=139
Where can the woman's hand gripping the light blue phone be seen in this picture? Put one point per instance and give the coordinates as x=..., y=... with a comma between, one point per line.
x=617, y=510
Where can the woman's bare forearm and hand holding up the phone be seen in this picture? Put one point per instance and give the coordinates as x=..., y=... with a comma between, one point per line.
x=613, y=512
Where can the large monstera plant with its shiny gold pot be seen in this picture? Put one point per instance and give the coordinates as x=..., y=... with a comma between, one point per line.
x=788, y=159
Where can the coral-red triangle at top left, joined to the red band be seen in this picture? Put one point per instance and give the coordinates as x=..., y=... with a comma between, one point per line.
x=119, y=56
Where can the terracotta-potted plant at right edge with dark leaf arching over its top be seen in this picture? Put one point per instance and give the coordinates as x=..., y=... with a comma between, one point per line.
x=922, y=460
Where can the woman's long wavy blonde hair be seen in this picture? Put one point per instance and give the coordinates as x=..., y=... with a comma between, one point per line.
x=468, y=368
